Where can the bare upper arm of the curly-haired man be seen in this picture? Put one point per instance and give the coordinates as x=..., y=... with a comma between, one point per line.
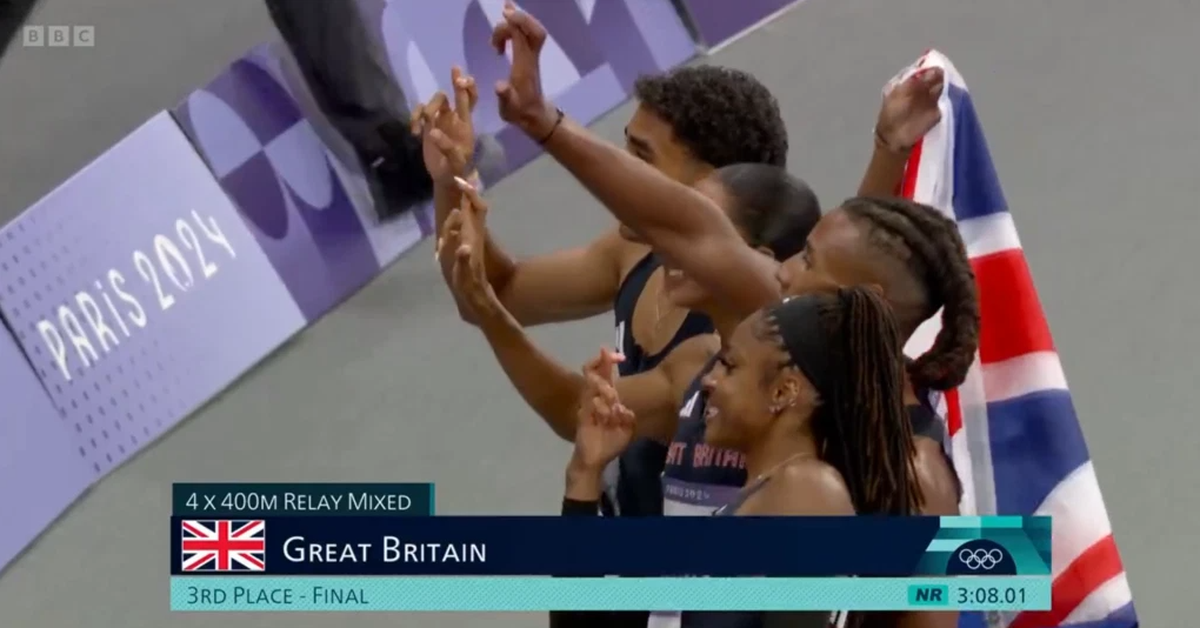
x=566, y=285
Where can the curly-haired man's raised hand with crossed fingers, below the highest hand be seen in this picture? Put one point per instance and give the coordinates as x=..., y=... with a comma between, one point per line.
x=448, y=136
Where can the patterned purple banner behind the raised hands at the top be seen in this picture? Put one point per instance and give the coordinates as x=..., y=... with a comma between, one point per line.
x=595, y=53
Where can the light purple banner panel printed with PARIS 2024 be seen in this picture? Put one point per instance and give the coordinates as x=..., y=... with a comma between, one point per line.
x=139, y=295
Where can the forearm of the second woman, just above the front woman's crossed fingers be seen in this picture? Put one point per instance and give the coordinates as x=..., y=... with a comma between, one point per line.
x=548, y=387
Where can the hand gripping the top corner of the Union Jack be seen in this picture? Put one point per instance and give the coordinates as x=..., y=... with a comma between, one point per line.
x=910, y=110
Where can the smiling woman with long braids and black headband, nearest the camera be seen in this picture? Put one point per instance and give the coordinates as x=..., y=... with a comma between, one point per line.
x=811, y=392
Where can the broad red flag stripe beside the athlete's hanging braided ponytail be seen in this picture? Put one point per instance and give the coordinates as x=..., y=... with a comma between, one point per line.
x=1012, y=320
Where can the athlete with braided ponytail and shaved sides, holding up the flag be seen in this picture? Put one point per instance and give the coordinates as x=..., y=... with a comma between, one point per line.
x=697, y=240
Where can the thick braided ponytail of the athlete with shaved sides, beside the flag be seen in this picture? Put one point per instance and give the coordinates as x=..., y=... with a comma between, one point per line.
x=929, y=246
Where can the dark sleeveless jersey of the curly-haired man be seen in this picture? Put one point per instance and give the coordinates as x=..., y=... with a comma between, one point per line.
x=633, y=482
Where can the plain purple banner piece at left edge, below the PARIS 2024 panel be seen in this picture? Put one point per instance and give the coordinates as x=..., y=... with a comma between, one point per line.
x=41, y=475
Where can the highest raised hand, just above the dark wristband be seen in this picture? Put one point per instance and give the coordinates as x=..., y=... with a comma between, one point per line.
x=523, y=103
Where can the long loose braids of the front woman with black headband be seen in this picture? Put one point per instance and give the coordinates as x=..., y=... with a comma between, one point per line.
x=861, y=426
